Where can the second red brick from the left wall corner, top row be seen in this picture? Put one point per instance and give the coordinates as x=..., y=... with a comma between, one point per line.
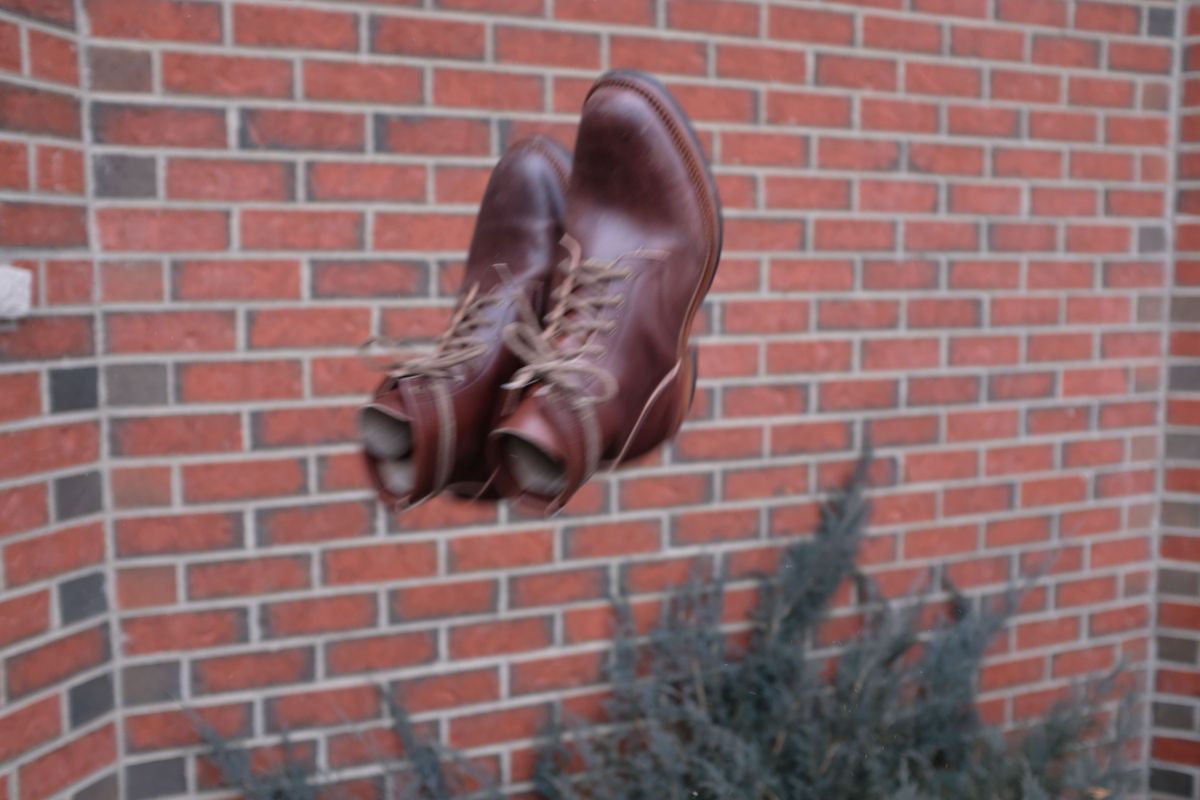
x=295, y=28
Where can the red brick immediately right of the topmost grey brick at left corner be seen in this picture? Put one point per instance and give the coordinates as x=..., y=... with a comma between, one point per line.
x=225, y=76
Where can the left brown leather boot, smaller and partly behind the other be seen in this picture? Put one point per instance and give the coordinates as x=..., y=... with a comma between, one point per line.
x=427, y=429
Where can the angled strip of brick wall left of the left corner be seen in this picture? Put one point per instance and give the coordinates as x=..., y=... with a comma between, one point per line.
x=58, y=724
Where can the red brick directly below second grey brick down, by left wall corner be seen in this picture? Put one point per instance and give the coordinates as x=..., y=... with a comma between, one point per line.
x=159, y=230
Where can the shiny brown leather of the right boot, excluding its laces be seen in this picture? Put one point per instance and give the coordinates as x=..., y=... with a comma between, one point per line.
x=639, y=182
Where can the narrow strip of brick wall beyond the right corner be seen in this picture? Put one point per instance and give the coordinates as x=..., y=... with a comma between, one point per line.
x=1177, y=713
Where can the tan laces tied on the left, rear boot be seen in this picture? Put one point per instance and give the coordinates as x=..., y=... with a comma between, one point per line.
x=459, y=345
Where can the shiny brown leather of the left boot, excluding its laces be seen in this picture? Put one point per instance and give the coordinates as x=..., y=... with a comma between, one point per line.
x=513, y=252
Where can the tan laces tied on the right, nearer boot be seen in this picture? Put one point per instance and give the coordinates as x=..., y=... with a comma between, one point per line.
x=556, y=354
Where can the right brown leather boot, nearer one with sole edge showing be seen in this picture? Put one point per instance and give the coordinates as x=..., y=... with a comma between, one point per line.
x=611, y=377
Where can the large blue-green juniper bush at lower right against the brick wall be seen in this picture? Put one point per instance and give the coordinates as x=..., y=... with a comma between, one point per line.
x=694, y=717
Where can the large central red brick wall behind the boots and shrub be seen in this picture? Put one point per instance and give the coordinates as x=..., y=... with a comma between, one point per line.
x=945, y=228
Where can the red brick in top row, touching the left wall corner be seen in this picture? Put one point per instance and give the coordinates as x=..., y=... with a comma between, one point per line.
x=176, y=21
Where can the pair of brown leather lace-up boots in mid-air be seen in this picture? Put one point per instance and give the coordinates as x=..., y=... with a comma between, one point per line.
x=568, y=350
